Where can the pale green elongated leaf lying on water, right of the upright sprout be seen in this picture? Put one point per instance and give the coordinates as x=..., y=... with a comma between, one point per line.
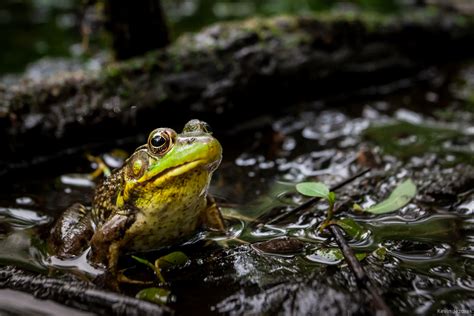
x=400, y=197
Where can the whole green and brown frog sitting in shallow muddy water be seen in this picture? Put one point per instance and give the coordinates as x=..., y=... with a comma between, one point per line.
x=157, y=198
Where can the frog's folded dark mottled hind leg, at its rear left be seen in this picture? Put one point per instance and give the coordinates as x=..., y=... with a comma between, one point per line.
x=72, y=232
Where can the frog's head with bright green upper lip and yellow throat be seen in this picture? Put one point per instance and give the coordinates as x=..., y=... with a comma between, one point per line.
x=170, y=161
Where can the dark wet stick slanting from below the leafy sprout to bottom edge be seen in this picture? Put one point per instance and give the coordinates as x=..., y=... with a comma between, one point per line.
x=359, y=272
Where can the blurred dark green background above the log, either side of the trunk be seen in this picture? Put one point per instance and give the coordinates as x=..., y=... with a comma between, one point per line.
x=32, y=29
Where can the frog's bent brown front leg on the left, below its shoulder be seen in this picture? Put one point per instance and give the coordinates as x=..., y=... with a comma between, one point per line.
x=108, y=240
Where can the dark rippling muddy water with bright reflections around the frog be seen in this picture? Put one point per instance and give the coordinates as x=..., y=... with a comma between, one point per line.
x=421, y=256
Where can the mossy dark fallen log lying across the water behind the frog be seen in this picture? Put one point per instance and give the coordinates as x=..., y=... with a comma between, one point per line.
x=229, y=69
